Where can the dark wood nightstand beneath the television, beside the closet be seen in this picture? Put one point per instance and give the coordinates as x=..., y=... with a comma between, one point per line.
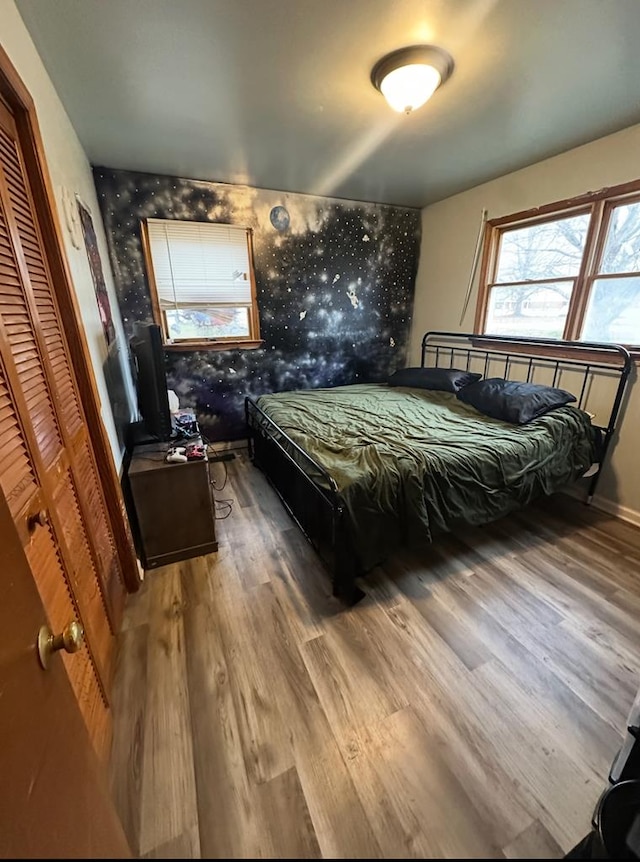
x=174, y=506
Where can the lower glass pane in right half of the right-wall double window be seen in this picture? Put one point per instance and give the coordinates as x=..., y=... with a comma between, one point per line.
x=613, y=313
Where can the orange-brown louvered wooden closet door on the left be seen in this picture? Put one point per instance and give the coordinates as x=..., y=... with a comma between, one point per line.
x=46, y=462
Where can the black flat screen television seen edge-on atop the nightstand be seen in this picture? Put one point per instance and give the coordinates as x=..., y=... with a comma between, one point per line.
x=151, y=381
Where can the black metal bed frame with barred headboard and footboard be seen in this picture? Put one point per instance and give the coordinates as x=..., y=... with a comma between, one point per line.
x=311, y=495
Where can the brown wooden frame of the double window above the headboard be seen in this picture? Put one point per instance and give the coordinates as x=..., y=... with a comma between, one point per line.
x=600, y=205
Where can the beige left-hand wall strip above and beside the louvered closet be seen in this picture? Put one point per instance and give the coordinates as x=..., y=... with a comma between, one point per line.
x=69, y=169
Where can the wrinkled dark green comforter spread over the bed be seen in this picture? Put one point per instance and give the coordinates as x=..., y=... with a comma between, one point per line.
x=410, y=463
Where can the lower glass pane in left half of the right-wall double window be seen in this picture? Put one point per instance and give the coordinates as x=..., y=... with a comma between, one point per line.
x=531, y=310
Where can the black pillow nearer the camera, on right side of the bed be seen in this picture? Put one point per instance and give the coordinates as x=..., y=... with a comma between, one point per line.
x=513, y=401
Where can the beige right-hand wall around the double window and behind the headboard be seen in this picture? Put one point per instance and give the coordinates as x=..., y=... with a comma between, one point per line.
x=449, y=233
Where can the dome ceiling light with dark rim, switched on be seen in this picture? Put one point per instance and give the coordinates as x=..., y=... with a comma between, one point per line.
x=408, y=77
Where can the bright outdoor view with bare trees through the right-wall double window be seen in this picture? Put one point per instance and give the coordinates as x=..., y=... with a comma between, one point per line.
x=538, y=280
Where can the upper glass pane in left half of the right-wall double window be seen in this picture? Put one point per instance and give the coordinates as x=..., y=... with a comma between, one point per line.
x=552, y=249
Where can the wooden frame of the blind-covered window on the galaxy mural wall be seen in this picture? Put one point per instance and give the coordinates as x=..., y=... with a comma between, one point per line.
x=250, y=342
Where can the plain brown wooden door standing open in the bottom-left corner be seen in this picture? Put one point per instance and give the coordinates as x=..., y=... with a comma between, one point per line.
x=53, y=800
